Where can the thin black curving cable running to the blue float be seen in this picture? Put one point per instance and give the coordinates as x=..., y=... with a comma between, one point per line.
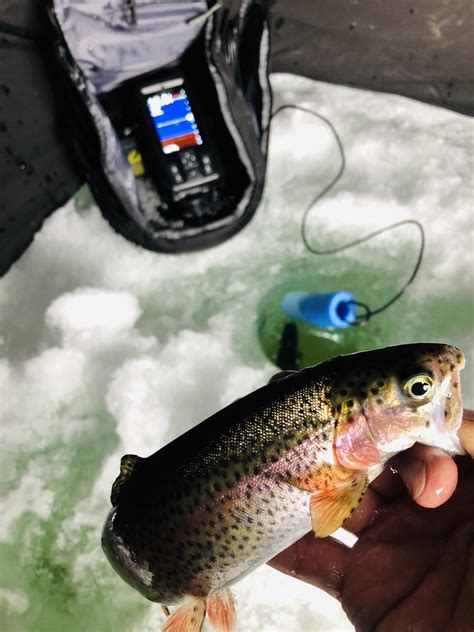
x=367, y=312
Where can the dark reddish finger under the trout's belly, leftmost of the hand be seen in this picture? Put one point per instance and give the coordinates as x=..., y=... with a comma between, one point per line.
x=317, y=561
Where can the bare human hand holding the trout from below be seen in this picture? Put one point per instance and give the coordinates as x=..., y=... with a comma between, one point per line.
x=412, y=567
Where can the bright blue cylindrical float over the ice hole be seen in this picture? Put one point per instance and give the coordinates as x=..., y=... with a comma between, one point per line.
x=321, y=309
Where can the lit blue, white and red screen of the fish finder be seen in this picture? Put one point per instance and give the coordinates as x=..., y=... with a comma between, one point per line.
x=173, y=119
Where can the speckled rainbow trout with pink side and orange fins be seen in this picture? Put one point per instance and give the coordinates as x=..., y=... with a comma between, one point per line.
x=204, y=511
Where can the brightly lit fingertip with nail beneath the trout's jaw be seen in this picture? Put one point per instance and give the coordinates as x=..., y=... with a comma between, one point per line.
x=429, y=474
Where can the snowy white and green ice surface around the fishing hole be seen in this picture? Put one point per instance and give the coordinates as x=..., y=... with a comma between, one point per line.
x=108, y=349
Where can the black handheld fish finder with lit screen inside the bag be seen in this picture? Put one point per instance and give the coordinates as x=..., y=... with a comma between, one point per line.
x=177, y=146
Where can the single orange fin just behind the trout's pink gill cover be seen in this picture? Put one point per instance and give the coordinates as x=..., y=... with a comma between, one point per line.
x=331, y=506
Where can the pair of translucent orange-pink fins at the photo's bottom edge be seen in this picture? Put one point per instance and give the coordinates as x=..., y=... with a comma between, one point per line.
x=190, y=616
